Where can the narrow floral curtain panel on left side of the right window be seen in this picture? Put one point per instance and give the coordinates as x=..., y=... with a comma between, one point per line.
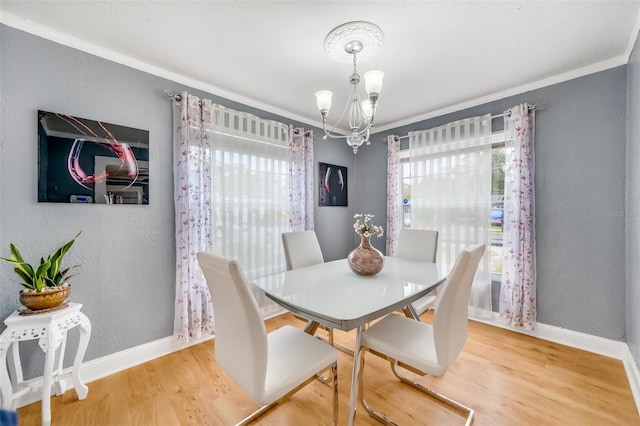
x=394, y=194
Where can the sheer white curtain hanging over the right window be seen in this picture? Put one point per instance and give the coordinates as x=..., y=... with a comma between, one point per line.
x=451, y=193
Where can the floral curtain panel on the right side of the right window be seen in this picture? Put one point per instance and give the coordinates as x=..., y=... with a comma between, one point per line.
x=518, y=286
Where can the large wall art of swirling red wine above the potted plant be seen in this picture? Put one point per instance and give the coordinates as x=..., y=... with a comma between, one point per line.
x=90, y=161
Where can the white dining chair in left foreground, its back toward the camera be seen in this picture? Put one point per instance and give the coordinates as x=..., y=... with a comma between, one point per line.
x=267, y=367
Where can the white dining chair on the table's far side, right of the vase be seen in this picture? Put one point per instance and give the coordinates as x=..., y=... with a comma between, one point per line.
x=419, y=244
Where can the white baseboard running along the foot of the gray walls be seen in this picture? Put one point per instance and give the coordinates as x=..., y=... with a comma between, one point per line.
x=114, y=363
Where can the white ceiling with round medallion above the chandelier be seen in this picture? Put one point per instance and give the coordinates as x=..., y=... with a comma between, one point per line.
x=438, y=56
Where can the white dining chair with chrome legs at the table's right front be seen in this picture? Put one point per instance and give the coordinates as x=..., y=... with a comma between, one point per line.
x=426, y=348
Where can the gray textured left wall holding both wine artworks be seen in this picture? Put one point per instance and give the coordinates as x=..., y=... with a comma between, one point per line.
x=127, y=253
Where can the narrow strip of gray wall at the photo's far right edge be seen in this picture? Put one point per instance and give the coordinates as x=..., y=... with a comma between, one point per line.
x=633, y=203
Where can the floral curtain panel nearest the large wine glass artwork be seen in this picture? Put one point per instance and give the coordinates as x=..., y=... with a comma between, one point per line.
x=192, y=192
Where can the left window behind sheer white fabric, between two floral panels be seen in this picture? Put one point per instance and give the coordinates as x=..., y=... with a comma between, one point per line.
x=250, y=202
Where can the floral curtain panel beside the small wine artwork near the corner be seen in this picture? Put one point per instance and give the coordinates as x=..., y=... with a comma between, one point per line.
x=301, y=200
